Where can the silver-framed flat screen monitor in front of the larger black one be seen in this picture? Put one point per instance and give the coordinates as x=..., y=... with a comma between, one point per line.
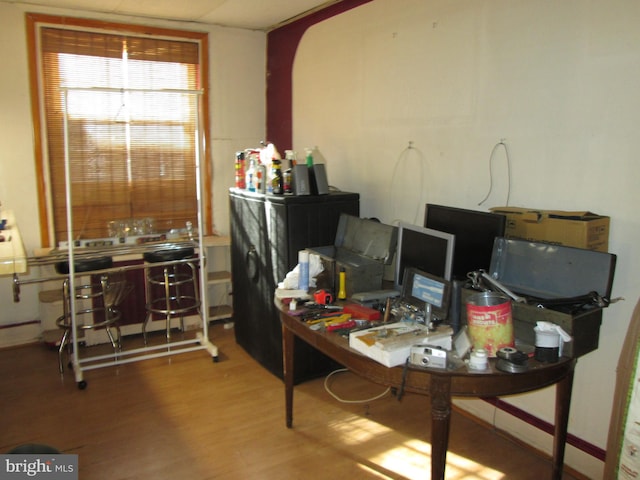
x=425, y=249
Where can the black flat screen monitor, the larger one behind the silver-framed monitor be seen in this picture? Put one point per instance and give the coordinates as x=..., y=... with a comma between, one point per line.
x=475, y=234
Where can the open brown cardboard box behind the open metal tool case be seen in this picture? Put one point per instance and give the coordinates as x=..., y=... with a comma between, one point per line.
x=574, y=229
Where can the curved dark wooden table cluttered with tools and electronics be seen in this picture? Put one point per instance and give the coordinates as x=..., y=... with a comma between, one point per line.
x=439, y=385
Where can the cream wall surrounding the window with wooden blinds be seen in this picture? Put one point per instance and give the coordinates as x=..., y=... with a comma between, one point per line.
x=237, y=76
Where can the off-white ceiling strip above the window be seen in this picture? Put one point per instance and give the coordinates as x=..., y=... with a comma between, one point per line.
x=253, y=14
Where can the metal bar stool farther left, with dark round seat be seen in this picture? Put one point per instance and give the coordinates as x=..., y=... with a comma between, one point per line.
x=104, y=295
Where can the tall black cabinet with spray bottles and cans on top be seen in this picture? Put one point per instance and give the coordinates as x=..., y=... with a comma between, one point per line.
x=267, y=231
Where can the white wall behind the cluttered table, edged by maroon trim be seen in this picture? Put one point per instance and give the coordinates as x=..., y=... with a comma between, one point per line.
x=556, y=80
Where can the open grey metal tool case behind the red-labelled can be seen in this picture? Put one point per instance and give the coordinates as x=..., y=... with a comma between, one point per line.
x=564, y=285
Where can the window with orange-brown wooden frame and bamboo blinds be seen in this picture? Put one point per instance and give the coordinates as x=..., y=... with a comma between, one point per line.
x=132, y=100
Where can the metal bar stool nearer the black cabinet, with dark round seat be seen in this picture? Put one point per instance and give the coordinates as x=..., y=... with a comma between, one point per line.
x=174, y=299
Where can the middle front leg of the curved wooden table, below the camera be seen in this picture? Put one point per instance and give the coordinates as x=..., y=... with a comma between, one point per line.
x=440, y=419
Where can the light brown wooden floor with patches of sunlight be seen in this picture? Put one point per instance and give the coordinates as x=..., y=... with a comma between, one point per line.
x=185, y=417
